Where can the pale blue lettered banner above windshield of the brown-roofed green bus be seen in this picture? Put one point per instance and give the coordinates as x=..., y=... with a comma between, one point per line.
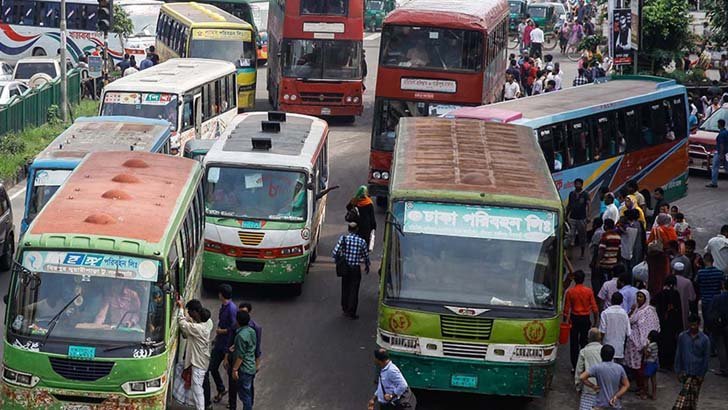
x=528, y=225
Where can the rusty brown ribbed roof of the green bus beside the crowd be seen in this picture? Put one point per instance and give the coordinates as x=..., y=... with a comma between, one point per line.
x=471, y=156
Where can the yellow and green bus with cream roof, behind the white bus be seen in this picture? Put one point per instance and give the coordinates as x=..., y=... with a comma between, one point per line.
x=204, y=31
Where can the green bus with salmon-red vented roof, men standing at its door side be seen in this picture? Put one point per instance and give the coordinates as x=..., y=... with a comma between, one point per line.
x=91, y=319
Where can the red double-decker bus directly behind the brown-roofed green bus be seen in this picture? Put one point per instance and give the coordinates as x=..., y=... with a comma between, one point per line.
x=435, y=56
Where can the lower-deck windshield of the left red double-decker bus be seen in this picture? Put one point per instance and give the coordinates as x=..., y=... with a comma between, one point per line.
x=322, y=59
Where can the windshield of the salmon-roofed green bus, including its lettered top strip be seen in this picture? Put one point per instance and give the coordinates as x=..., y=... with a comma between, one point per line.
x=110, y=298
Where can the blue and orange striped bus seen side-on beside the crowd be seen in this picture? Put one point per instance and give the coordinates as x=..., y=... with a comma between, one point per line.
x=633, y=127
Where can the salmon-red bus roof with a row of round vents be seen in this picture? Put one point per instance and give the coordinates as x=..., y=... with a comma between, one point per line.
x=132, y=195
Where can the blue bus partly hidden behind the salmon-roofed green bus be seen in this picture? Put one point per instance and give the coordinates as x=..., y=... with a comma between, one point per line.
x=88, y=134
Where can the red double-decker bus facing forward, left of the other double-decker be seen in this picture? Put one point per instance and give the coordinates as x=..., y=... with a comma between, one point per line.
x=315, y=56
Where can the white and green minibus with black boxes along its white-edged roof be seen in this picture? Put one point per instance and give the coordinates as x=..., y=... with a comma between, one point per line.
x=266, y=180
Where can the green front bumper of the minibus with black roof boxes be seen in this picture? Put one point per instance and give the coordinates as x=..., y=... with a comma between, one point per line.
x=278, y=271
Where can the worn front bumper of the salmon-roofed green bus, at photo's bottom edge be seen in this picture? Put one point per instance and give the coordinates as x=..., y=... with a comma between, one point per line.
x=15, y=397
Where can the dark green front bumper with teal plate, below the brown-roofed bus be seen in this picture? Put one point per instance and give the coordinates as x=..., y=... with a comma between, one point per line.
x=492, y=378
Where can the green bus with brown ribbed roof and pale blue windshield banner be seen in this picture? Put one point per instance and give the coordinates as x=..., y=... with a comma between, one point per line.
x=470, y=292
